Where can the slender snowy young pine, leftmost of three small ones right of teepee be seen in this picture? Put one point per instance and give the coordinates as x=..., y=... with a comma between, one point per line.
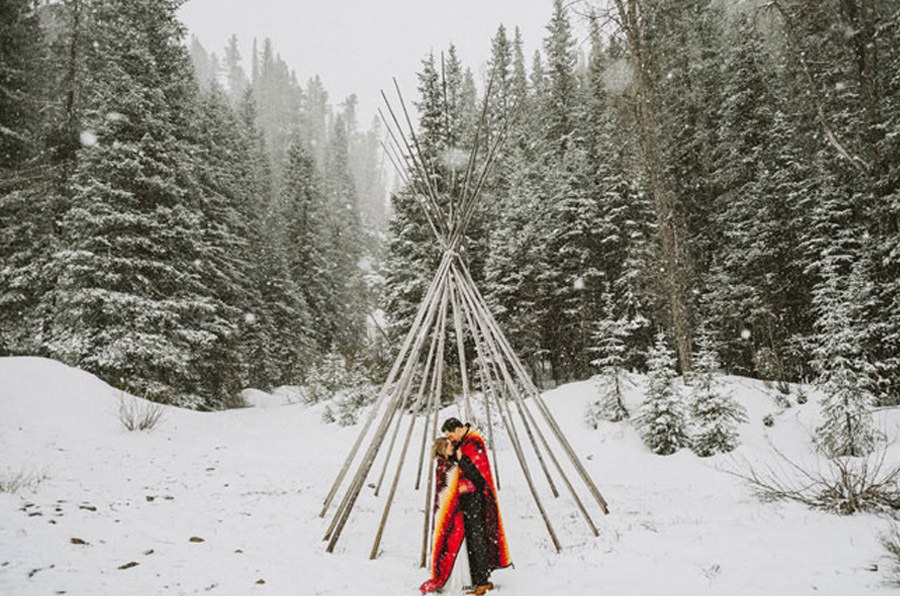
x=610, y=335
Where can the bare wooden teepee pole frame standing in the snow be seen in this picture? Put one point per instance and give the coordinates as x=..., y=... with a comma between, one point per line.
x=452, y=302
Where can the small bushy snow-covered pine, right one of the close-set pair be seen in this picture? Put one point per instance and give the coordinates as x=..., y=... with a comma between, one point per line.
x=715, y=412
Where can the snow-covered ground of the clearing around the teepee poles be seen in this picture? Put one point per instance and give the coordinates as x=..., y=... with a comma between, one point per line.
x=250, y=483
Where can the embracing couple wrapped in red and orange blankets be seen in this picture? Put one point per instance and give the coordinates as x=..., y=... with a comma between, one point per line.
x=467, y=514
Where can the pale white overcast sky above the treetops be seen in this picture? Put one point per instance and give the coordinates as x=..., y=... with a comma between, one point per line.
x=356, y=46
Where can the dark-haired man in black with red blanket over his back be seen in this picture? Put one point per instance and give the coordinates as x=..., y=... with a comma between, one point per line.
x=485, y=537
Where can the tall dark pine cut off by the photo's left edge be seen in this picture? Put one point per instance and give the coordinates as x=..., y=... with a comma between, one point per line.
x=32, y=157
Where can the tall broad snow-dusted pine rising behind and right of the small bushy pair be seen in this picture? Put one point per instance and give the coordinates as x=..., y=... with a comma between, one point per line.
x=755, y=279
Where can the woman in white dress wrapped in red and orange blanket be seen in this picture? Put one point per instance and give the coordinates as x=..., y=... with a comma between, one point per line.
x=449, y=571
